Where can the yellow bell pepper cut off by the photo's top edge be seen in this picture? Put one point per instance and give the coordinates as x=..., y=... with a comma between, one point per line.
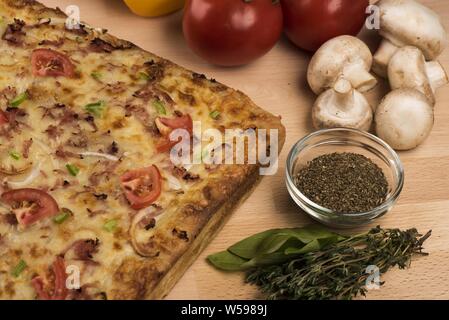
x=154, y=8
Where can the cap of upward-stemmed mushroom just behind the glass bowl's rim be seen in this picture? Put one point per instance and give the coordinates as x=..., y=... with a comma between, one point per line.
x=332, y=111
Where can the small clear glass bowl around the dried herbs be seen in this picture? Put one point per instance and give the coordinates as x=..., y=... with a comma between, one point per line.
x=345, y=140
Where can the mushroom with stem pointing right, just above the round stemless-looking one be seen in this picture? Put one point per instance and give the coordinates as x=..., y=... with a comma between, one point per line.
x=408, y=69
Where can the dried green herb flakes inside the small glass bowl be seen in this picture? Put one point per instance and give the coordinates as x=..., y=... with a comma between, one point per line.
x=343, y=182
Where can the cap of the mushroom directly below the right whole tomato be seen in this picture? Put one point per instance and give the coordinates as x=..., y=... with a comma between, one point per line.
x=333, y=58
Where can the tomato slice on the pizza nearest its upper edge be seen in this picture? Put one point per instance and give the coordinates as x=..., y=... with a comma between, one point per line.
x=51, y=63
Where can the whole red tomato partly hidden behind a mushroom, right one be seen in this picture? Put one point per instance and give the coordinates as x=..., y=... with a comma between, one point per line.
x=310, y=23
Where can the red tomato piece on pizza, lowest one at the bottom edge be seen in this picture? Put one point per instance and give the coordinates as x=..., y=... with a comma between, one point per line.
x=60, y=291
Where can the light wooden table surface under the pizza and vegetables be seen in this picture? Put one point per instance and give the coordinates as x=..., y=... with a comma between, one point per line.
x=277, y=83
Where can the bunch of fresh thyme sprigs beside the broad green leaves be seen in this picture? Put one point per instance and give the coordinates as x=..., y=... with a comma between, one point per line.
x=339, y=270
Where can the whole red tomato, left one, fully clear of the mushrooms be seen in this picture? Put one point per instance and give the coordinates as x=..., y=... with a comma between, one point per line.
x=232, y=32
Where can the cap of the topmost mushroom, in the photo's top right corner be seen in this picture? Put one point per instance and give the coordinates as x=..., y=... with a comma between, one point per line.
x=407, y=22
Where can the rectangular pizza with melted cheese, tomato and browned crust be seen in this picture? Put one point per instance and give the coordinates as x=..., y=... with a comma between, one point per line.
x=117, y=167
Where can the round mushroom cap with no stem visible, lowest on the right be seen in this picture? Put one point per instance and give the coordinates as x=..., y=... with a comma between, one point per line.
x=404, y=119
